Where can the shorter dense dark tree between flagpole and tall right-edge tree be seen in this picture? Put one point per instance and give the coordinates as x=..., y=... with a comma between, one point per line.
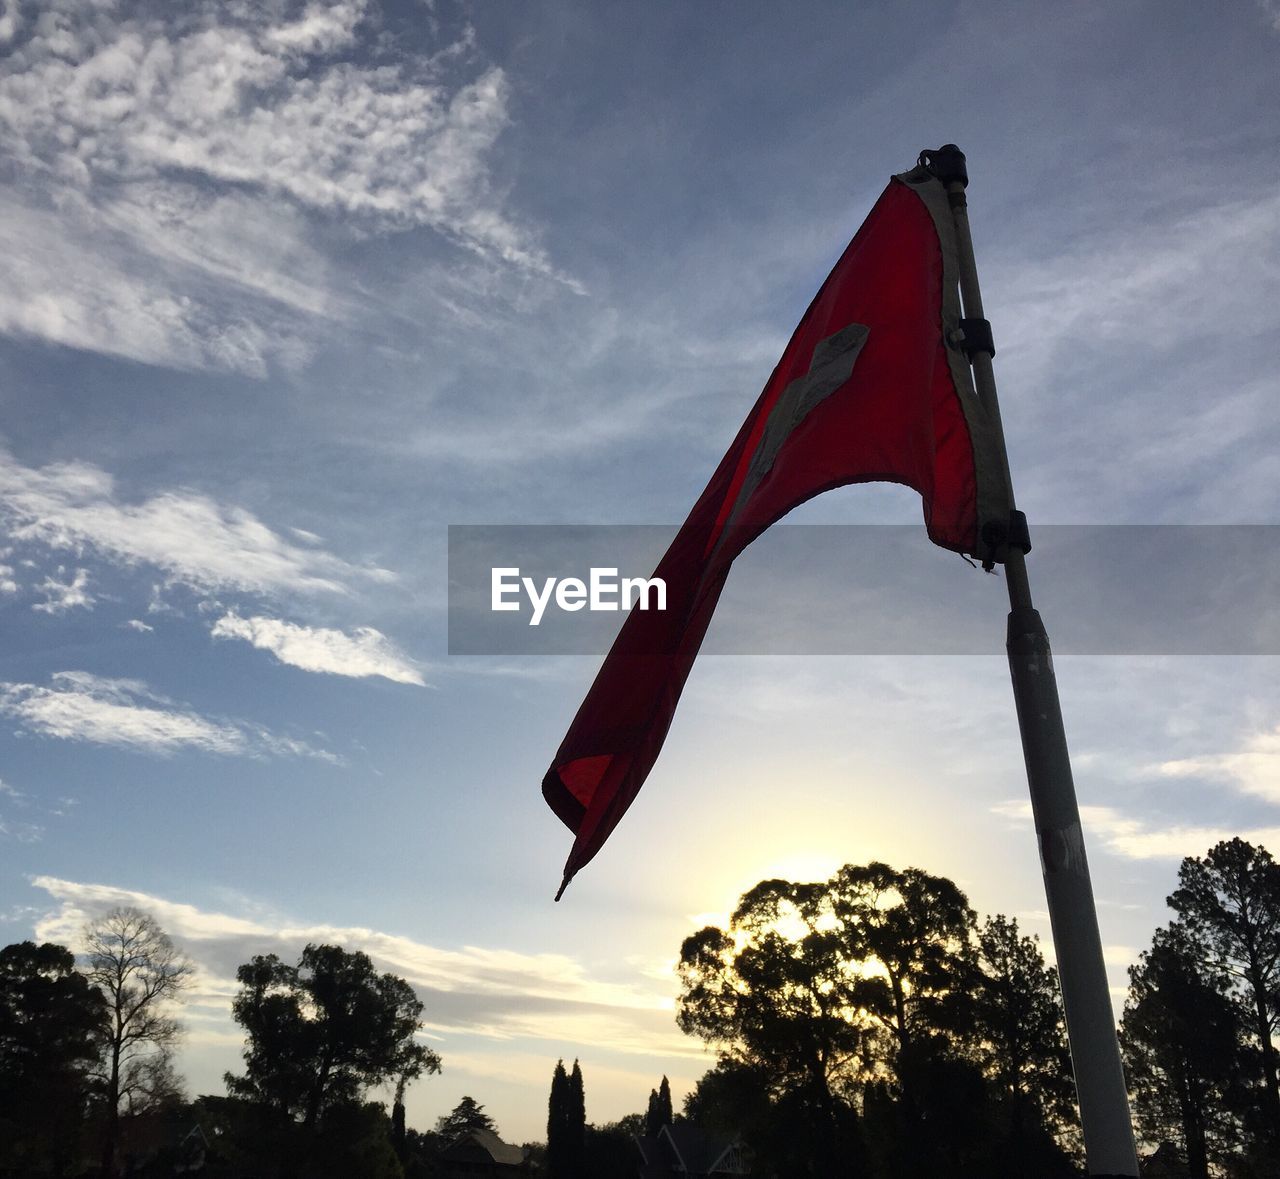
x=1181, y=1035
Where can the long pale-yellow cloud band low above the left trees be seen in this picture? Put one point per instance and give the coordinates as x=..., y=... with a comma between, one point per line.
x=496, y=994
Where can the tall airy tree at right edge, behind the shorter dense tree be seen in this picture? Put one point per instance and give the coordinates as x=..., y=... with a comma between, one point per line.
x=1229, y=904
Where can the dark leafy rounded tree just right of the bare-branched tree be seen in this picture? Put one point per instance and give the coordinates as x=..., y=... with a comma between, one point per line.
x=323, y=1032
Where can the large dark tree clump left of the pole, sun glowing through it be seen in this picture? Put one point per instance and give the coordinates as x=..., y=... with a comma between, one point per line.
x=868, y=1018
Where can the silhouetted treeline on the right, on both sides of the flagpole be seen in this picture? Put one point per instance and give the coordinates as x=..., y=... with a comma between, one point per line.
x=871, y=1026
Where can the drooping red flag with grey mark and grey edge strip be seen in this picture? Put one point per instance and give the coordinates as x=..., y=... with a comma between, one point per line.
x=874, y=386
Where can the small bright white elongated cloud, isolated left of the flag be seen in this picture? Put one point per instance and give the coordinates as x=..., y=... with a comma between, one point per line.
x=365, y=652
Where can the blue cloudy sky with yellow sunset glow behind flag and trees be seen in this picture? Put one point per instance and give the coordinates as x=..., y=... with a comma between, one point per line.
x=292, y=287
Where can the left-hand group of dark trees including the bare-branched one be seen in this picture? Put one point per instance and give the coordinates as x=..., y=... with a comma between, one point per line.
x=88, y=1085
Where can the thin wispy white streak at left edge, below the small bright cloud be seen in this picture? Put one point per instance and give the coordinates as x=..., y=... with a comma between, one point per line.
x=127, y=715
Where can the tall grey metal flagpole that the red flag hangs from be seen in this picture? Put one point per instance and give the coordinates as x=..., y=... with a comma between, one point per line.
x=1100, y=1085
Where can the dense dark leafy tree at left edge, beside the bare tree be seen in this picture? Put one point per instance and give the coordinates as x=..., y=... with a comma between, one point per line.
x=53, y=1025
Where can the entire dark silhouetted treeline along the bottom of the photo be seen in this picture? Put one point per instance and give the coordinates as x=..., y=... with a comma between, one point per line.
x=868, y=1026
